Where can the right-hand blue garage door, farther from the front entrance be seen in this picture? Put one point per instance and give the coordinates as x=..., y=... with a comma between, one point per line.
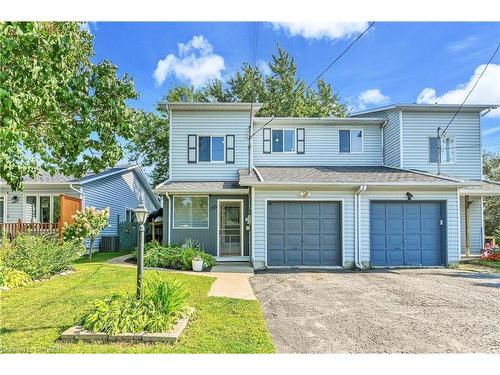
x=406, y=233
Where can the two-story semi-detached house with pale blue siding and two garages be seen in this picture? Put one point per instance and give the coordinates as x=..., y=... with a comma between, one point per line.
x=326, y=192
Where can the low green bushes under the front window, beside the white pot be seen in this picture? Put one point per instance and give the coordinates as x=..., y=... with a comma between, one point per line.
x=176, y=257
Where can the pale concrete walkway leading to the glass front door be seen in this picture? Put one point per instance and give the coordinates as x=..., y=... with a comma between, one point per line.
x=231, y=279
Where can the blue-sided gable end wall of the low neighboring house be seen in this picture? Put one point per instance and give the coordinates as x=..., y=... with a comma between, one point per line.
x=118, y=192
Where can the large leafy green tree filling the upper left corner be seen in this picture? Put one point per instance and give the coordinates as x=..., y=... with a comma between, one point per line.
x=59, y=111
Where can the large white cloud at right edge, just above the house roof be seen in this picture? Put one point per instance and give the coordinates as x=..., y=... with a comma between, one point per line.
x=487, y=90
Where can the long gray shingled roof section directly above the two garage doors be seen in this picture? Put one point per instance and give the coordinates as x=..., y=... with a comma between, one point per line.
x=339, y=175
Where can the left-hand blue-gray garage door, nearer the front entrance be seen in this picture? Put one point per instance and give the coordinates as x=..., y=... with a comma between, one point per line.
x=303, y=233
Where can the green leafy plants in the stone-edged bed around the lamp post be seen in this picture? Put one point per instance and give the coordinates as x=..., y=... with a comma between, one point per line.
x=163, y=302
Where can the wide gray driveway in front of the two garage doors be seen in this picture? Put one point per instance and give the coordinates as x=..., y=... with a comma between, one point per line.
x=382, y=311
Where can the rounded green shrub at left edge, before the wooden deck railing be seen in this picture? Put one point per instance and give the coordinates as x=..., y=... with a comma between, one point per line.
x=39, y=256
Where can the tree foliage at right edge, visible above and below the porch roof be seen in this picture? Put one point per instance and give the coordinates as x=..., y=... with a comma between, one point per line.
x=491, y=170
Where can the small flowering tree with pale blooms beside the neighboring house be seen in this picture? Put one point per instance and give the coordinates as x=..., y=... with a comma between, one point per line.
x=87, y=224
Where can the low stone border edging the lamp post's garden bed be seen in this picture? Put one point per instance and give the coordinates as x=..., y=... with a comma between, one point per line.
x=79, y=333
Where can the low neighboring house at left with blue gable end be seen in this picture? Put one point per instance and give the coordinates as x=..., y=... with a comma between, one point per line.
x=120, y=188
